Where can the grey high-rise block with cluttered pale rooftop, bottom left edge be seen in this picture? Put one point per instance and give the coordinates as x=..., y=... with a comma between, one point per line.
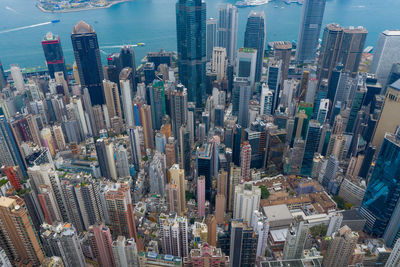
x=62, y=240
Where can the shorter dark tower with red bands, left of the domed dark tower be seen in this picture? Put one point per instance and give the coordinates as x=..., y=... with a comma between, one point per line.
x=54, y=55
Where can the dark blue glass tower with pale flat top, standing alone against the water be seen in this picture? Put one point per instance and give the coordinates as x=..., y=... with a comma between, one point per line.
x=254, y=37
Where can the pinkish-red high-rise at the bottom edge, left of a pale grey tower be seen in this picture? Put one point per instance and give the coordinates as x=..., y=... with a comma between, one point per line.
x=101, y=243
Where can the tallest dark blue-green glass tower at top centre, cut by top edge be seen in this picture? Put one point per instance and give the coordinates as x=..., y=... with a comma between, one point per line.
x=191, y=37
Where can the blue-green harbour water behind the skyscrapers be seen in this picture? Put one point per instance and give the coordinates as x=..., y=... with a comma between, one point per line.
x=153, y=22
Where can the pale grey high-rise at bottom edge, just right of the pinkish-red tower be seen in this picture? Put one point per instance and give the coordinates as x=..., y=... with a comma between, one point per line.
x=125, y=252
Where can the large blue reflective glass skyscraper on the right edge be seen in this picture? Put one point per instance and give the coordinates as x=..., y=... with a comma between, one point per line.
x=381, y=205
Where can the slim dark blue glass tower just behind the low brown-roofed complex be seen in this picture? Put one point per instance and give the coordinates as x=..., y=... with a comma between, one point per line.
x=312, y=142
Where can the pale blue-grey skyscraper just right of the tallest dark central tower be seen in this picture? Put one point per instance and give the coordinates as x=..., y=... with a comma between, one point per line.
x=227, y=30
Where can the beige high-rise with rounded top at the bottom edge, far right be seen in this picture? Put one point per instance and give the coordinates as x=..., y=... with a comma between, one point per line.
x=341, y=248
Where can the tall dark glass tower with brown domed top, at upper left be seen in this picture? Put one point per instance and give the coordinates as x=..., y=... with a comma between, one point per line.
x=87, y=56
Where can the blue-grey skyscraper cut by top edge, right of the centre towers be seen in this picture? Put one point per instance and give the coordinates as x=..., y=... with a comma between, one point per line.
x=309, y=31
